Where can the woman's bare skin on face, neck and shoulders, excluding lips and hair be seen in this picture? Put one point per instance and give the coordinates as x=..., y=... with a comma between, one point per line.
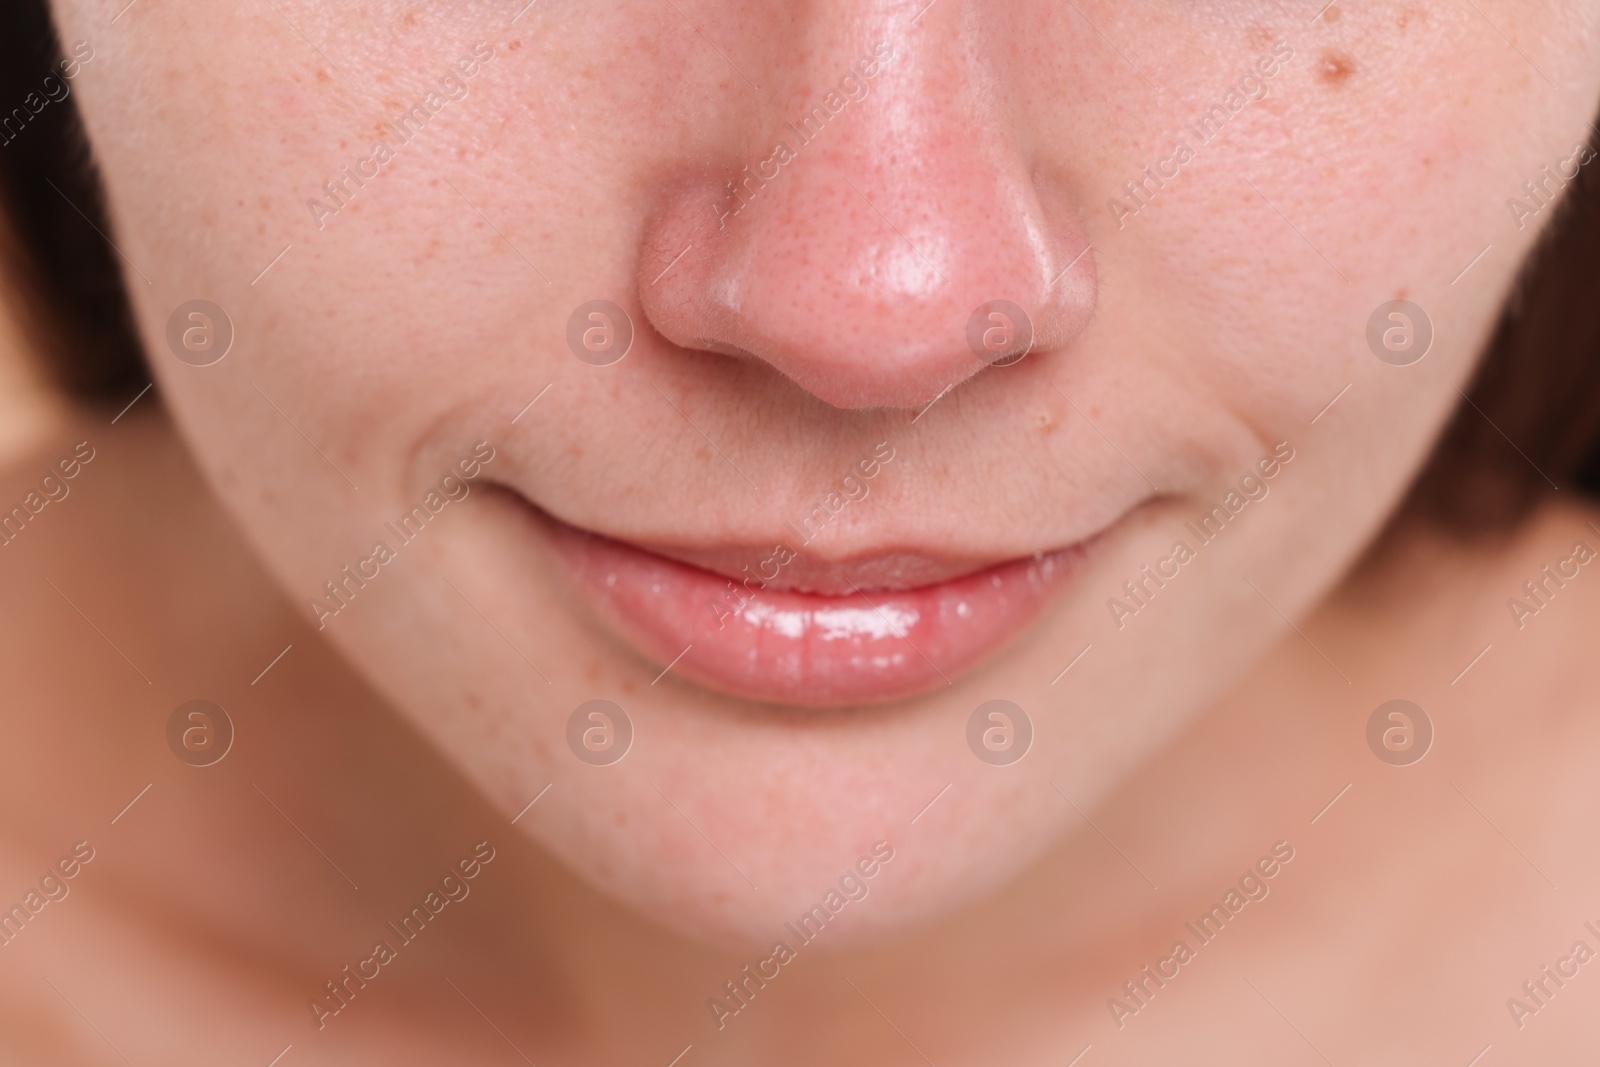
x=420, y=319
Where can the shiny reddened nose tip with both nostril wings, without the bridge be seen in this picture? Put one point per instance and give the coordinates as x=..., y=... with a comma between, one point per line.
x=871, y=279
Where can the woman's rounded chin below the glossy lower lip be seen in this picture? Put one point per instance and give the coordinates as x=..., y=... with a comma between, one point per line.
x=854, y=820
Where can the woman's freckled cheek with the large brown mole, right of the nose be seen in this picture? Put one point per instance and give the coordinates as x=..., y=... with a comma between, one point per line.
x=1278, y=242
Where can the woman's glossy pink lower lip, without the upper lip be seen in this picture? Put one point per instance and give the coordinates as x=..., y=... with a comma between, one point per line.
x=804, y=649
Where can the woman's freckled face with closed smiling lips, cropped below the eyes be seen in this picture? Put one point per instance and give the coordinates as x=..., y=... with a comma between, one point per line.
x=838, y=518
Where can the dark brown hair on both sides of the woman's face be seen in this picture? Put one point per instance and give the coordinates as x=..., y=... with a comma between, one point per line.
x=1532, y=420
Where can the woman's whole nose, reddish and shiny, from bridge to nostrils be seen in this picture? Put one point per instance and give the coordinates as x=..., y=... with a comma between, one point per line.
x=863, y=252
